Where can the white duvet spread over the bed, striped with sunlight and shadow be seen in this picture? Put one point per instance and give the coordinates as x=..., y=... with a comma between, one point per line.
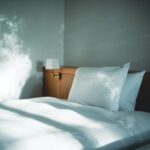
x=50, y=124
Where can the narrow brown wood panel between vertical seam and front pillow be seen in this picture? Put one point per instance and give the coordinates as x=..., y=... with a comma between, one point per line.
x=66, y=83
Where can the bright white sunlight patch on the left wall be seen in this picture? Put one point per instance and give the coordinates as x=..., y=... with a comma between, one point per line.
x=15, y=63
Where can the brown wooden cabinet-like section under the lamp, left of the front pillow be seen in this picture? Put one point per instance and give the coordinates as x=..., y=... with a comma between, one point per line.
x=57, y=82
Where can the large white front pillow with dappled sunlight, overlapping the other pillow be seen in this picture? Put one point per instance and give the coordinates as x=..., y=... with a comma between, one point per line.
x=99, y=86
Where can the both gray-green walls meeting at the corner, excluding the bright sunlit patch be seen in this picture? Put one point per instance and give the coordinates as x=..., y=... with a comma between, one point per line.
x=97, y=33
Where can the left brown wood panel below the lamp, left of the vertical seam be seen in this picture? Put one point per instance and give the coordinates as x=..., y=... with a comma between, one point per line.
x=51, y=85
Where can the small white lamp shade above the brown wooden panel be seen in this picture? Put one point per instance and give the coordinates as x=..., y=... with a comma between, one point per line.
x=52, y=63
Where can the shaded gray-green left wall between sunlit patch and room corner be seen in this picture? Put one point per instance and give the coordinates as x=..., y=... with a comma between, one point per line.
x=43, y=34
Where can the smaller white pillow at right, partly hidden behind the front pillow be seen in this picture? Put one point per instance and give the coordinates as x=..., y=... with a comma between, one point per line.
x=130, y=91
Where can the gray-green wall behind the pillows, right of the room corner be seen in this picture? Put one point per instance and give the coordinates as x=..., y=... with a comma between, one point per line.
x=107, y=32
